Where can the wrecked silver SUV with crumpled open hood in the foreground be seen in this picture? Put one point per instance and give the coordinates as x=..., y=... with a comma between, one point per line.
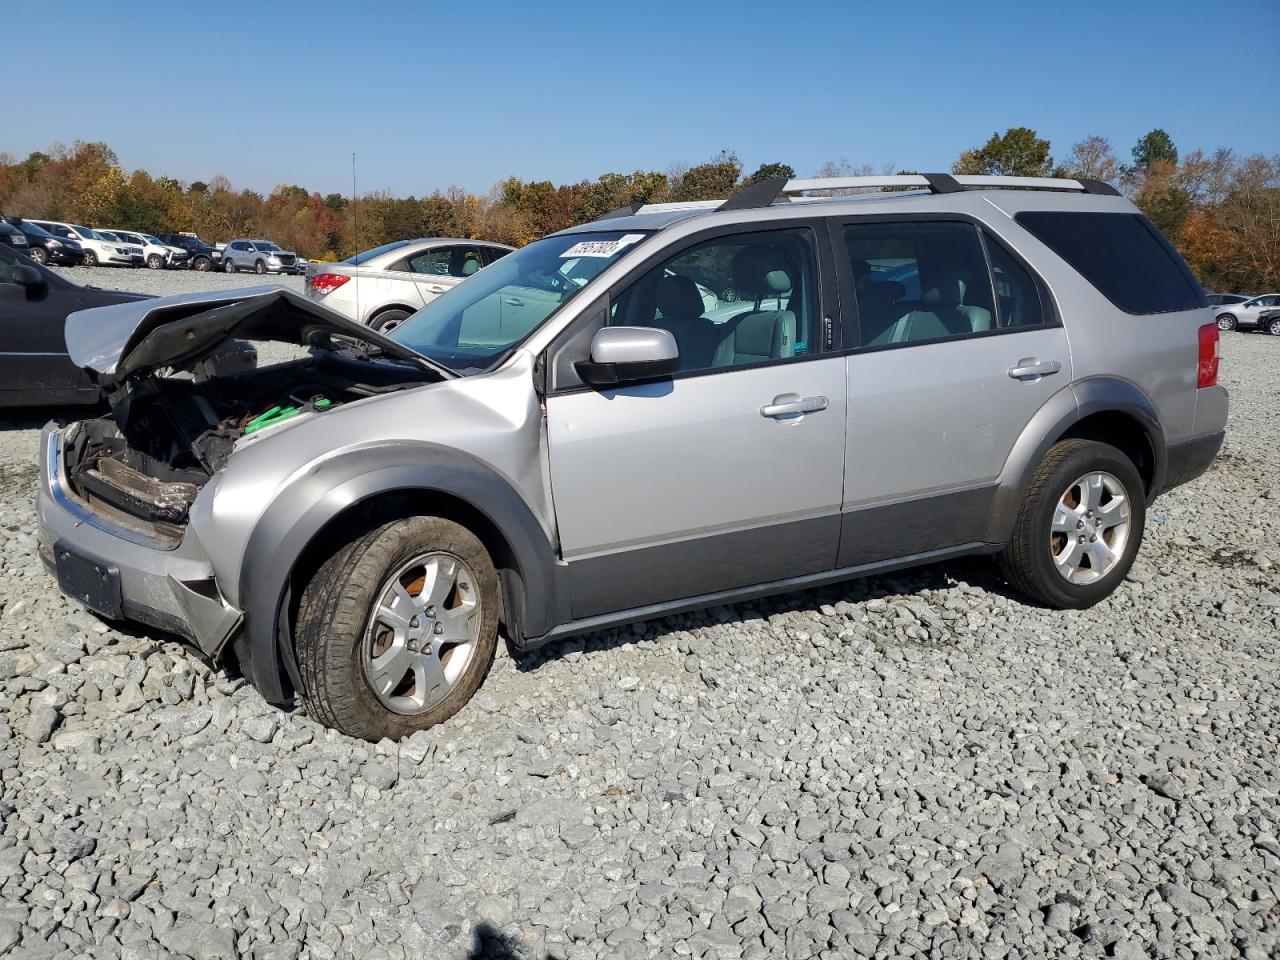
x=671, y=408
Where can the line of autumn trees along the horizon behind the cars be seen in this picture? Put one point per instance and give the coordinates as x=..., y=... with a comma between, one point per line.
x=1220, y=211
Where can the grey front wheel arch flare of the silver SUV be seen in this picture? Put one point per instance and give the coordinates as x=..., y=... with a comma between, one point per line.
x=303, y=509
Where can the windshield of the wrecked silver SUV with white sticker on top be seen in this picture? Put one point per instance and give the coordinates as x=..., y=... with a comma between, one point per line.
x=479, y=322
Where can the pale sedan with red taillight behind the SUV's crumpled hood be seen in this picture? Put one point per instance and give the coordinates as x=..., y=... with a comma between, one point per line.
x=382, y=287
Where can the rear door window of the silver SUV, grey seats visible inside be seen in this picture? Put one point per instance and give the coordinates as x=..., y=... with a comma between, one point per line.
x=921, y=282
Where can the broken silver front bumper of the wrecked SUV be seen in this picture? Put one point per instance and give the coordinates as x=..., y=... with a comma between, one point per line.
x=121, y=572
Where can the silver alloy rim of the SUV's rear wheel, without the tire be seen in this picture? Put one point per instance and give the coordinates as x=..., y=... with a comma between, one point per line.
x=1091, y=528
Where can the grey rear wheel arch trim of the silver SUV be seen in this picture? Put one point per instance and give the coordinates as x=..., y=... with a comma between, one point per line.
x=1105, y=409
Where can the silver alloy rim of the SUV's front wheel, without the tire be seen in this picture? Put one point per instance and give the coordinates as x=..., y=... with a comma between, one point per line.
x=423, y=633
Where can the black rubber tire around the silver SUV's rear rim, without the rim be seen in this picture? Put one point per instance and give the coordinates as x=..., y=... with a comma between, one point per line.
x=1028, y=561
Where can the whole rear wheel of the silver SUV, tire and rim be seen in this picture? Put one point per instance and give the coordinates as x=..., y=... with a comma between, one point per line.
x=1080, y=527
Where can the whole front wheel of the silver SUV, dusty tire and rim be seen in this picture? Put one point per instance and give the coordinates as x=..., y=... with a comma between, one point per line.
x=399, y=629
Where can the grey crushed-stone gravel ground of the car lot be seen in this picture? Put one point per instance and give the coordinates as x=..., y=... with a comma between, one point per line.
x=908, y=766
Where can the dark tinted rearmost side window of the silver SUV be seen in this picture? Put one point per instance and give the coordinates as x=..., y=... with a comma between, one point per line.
x=1123, y=255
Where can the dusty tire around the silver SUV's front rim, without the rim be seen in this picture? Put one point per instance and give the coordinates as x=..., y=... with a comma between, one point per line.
x=336, y=610
